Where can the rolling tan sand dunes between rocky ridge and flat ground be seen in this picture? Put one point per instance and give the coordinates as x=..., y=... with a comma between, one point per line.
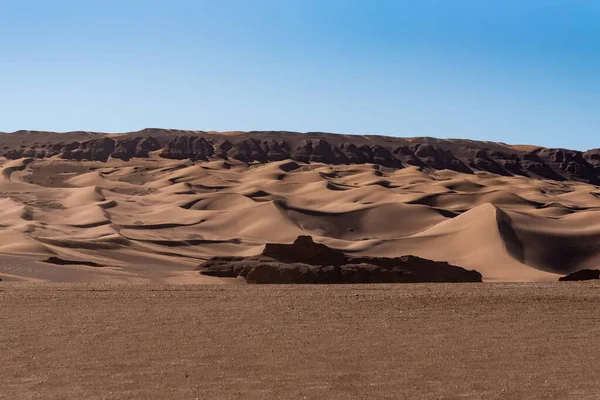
x=154, y=220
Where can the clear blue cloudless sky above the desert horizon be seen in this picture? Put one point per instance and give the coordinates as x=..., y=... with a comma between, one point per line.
x=517, y=71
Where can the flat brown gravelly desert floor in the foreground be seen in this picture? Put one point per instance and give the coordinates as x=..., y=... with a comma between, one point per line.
x=424, y=341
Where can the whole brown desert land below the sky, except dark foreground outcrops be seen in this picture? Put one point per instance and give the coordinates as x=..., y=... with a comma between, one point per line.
x=100, y=241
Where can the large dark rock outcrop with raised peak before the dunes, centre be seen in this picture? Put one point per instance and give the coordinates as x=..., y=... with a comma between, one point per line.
x=305, y=261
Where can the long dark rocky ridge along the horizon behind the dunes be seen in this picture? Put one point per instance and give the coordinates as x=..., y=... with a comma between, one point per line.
x=464, y=156
